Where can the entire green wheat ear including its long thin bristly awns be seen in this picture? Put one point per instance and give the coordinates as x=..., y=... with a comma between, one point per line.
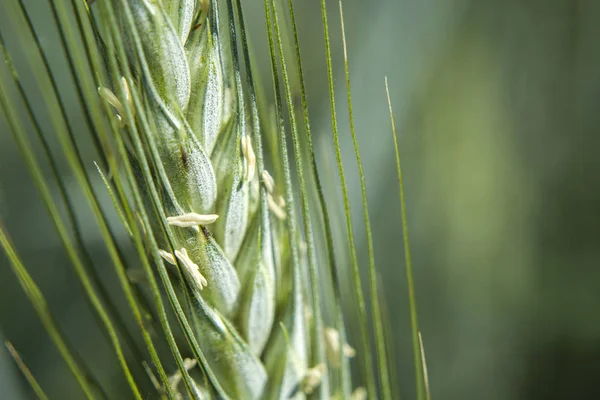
x=171, y=104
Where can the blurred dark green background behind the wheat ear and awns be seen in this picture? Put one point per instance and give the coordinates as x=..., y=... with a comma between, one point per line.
x=497, y=104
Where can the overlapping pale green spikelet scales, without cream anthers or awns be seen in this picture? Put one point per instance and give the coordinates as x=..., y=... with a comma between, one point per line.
x=244, y=256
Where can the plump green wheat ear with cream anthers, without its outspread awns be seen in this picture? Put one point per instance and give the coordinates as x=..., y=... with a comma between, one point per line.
x=229, y=234
